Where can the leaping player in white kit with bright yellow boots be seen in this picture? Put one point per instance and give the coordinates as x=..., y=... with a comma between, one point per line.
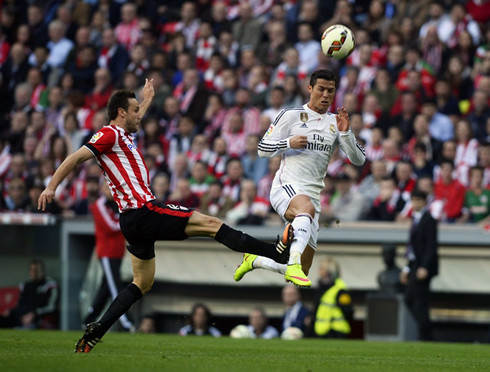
x=305, y=137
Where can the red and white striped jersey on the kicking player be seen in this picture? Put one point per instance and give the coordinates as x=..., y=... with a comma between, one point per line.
x=124, y=168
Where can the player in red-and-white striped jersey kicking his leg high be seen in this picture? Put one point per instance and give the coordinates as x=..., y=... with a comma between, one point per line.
x=143, y=220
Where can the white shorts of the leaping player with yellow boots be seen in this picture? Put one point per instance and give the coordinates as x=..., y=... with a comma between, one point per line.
x=282, y=196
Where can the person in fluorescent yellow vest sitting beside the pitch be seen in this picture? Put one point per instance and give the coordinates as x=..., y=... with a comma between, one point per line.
x=334, y=308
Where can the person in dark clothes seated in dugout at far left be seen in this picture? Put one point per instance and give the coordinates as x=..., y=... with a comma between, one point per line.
x=38, y=301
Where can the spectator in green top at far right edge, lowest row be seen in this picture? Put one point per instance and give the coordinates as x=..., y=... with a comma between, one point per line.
x=476, y=206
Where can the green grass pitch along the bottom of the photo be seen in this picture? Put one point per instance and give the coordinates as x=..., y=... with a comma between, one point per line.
x=53, y=351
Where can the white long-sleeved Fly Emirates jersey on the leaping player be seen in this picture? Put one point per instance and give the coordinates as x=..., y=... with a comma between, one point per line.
x=307, y=167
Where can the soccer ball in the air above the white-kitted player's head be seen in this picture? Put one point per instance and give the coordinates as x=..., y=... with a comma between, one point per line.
x=338, y=42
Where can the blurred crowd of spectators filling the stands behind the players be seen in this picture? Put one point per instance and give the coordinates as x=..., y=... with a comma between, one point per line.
x=416, y=87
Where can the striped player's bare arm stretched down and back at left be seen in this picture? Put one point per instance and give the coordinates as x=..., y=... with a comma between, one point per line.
x=78, y=157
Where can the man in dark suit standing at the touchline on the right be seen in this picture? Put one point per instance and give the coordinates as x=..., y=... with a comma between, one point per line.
x=422, y=264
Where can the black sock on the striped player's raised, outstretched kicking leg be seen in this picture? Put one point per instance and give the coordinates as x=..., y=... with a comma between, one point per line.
x=241, y=242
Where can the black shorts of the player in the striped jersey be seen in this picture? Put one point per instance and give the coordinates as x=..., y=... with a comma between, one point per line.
x=154, y=221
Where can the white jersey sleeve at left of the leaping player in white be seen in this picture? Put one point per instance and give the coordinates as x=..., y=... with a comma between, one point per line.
x=276, y=139
